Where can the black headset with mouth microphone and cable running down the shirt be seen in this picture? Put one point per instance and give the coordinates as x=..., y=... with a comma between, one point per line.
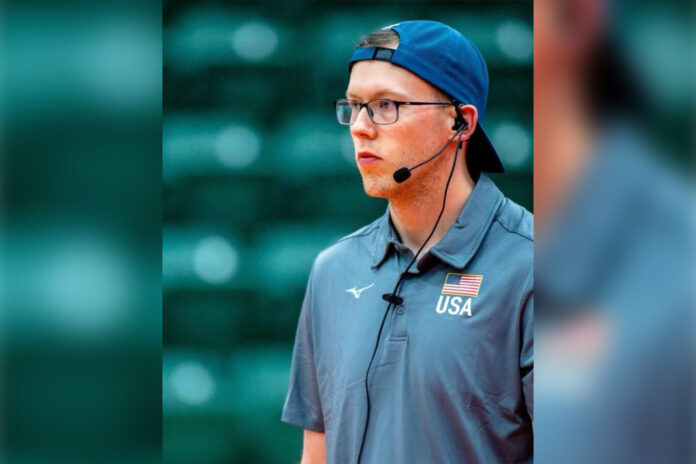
x=401, y=175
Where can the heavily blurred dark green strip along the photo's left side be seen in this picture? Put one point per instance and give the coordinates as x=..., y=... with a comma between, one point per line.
x=80, y=236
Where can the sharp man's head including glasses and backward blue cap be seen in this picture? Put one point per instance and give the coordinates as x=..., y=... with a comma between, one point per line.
x=425, y=62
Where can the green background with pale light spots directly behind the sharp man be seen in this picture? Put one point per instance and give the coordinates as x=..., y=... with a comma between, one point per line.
x=258, y=177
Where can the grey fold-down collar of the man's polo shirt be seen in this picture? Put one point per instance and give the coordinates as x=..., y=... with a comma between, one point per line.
x=462, y=240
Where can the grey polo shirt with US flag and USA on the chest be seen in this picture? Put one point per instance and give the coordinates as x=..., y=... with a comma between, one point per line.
x=452, y=379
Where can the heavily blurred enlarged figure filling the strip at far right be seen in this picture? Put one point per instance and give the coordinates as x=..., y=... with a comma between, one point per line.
x=614, y=267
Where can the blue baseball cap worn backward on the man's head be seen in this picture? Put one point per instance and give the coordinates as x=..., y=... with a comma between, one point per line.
x=449, y=61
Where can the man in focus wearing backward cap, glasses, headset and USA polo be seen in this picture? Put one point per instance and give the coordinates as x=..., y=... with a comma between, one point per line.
x=415, y=341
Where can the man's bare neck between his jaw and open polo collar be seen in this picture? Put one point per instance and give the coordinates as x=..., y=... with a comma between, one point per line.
x=414, y=220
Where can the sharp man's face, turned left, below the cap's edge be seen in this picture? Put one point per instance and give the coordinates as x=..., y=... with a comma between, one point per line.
x=419, y=132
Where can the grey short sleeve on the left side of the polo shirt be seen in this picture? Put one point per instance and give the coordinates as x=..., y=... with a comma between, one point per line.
x=302, y=403
